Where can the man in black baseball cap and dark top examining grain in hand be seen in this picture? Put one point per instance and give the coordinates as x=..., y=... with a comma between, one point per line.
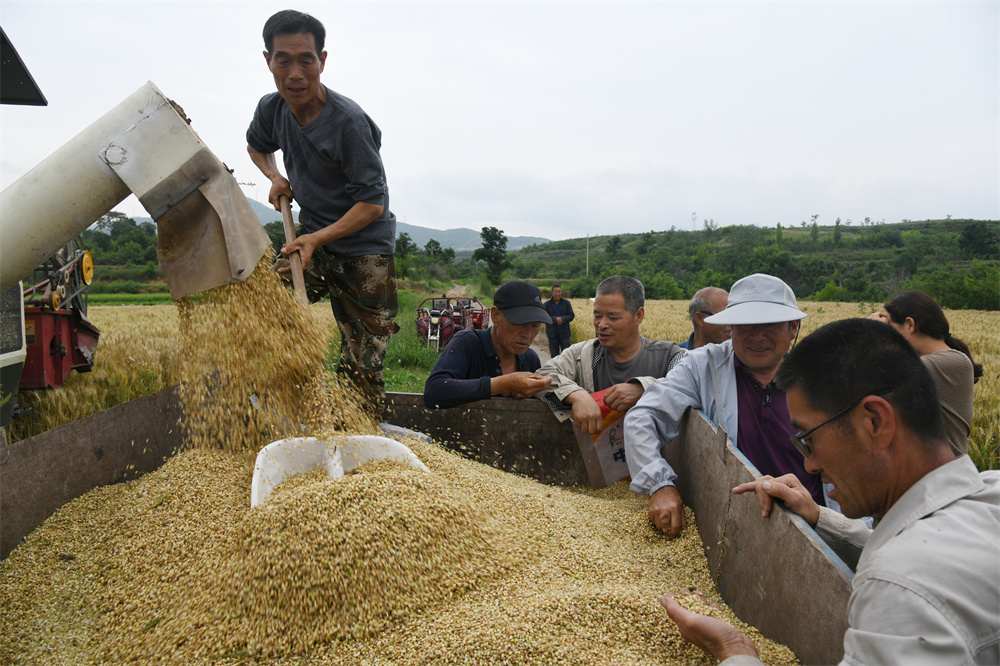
x=477, y=365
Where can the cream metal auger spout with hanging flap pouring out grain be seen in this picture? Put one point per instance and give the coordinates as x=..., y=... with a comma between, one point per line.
x=207, y=234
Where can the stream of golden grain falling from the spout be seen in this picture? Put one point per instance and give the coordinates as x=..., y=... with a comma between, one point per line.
x=252, y=369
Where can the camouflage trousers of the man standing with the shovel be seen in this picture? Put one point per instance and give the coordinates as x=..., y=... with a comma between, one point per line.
x=363, y=297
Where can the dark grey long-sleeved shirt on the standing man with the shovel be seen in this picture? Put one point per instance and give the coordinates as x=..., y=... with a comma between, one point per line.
x=332, y=163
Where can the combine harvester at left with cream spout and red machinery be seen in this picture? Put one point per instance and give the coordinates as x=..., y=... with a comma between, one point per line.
x=207, y=234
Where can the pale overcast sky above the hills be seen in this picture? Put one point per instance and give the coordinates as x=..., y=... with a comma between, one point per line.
x=562, y=119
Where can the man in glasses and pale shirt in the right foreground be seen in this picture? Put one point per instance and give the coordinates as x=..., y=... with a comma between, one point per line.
x=926, y=588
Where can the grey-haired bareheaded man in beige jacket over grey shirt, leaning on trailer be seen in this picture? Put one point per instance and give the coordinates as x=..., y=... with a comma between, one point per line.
x=619, y=360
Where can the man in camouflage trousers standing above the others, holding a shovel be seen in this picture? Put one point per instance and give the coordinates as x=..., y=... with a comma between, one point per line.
x=330, y=149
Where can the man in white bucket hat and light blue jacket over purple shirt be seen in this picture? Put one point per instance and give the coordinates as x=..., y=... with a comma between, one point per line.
x=733, y=383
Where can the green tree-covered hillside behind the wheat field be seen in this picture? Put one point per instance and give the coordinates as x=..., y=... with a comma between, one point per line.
x=955, y=261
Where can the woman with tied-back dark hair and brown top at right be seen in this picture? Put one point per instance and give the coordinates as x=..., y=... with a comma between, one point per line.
x=921, y=321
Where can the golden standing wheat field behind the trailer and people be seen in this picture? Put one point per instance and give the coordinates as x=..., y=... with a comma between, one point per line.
x=139, y=345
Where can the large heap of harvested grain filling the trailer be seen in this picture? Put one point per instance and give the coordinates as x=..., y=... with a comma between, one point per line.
x=462, y=564
